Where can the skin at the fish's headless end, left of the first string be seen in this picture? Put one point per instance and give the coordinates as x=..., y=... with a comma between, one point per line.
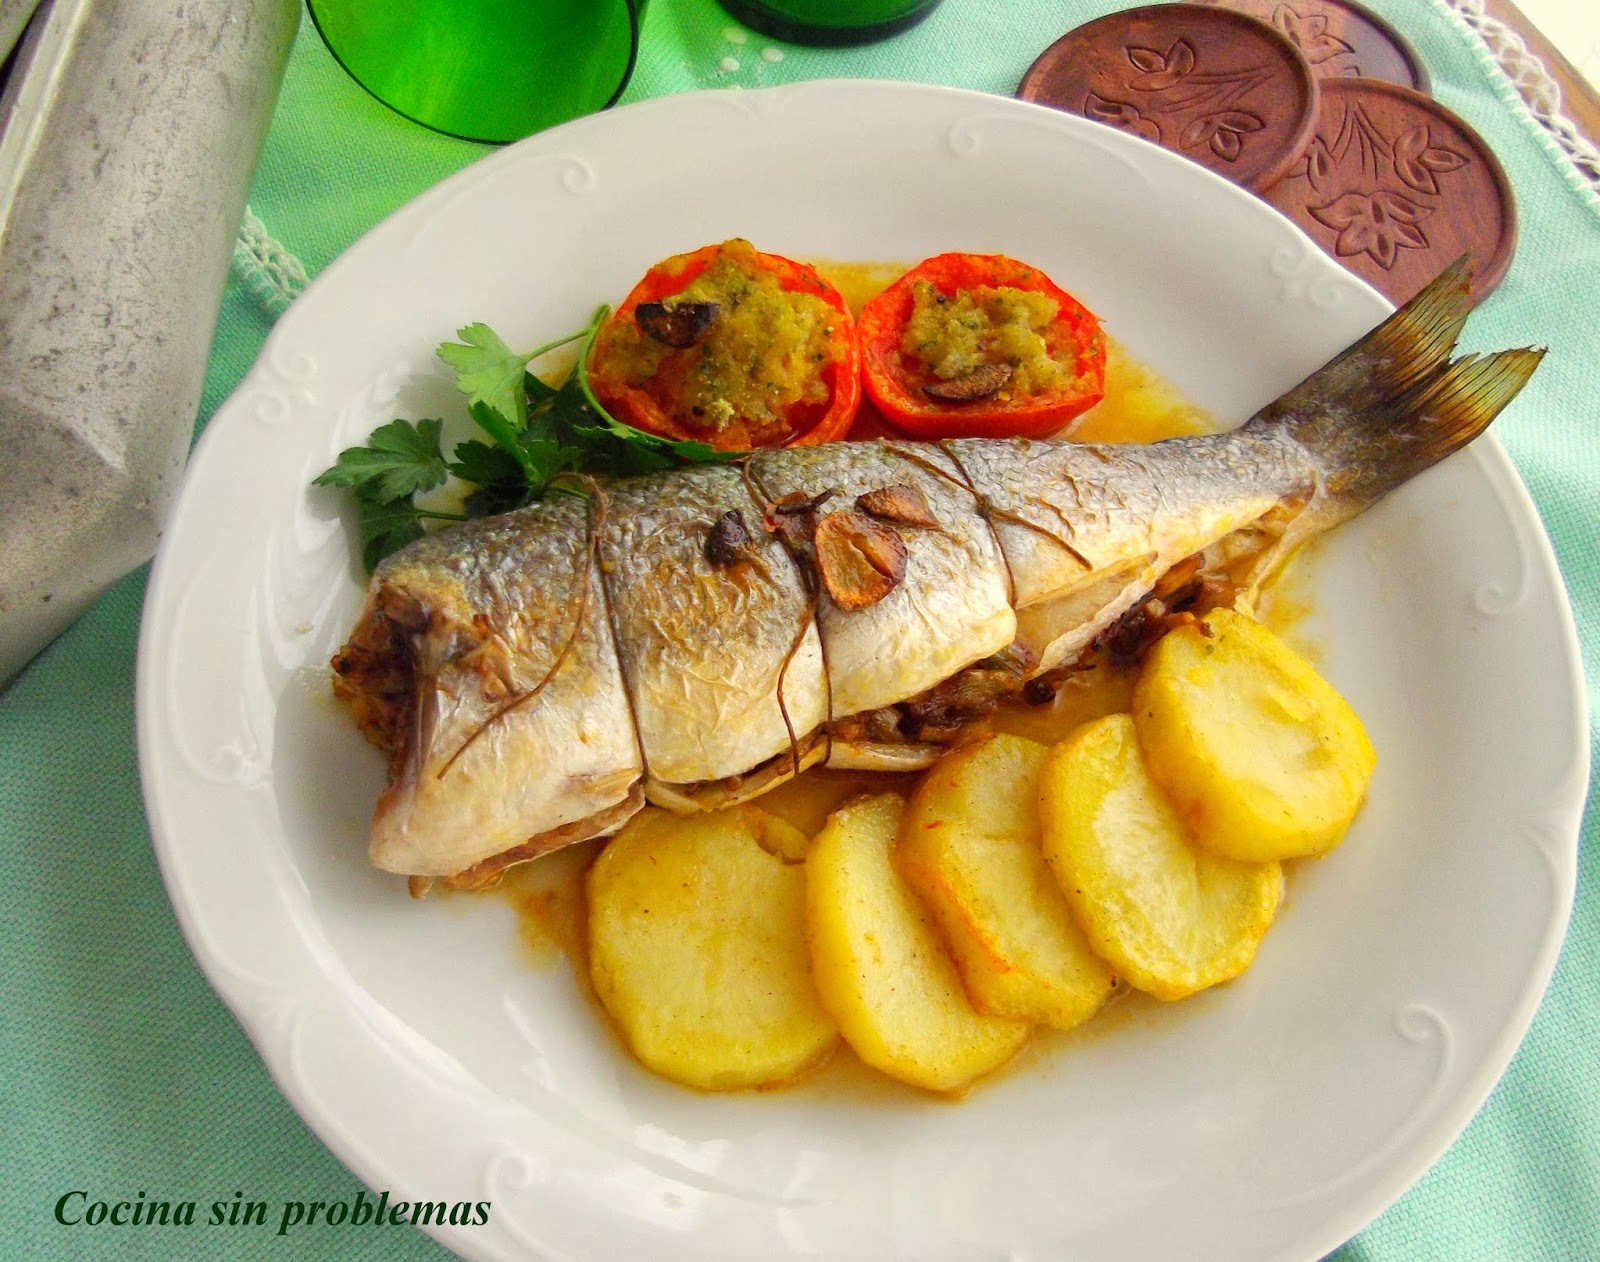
x=487, y=772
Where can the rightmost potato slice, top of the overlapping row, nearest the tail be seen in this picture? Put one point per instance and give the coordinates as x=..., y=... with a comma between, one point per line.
x=1257, y=751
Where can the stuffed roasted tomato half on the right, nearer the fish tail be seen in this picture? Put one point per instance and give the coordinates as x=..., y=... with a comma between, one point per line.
x=980, y=346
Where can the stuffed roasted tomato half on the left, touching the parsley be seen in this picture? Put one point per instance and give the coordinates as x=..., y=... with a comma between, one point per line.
x=734, y=348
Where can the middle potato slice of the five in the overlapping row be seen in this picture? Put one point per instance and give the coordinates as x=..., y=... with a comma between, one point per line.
x=970, y=849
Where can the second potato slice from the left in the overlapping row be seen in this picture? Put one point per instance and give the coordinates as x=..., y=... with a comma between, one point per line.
x=881, y=967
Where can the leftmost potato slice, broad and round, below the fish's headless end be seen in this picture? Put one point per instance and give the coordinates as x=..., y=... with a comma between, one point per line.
x=697, y=949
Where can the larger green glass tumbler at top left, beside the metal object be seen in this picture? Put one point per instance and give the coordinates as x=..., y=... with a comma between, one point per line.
x=486, y=70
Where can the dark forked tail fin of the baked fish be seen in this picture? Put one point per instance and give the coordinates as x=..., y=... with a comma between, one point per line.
x=1396, y=402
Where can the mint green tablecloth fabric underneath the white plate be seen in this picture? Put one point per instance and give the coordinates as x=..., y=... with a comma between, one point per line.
x=121, y=1072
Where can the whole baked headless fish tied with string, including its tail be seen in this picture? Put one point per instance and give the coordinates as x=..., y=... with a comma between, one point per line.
x=697, y=637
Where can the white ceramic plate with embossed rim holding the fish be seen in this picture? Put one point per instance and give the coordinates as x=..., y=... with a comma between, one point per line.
x=1271, y=1119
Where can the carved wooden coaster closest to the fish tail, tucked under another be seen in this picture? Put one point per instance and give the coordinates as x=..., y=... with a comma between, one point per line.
x=1396, y=188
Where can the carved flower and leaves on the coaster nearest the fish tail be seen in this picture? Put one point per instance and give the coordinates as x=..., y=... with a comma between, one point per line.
x=1383, y=207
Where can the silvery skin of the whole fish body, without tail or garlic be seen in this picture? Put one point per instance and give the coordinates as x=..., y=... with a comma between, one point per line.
x=692, y=697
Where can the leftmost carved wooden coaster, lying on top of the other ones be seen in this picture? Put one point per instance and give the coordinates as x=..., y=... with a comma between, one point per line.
x=1212, y=84
